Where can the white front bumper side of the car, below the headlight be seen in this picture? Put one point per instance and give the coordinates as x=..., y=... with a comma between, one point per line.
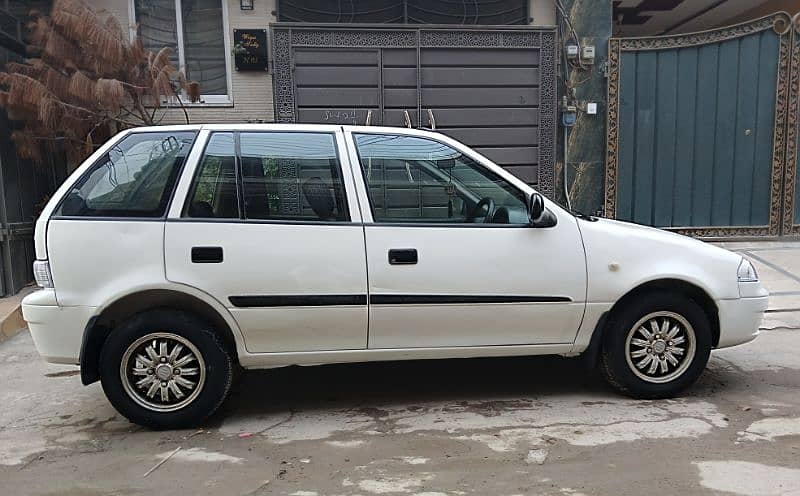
x=740, y=319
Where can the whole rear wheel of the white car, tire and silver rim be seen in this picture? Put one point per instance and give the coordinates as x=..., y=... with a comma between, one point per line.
x=165, y=369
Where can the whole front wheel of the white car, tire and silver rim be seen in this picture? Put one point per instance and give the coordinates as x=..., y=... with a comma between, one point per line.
x=656, y=346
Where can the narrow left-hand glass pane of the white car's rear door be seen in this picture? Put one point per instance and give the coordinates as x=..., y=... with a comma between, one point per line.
x=214, y=192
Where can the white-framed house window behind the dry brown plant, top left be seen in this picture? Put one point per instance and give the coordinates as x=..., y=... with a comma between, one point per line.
x=194, y=30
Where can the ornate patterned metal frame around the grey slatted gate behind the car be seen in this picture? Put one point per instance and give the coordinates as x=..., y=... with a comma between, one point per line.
x=286, y=36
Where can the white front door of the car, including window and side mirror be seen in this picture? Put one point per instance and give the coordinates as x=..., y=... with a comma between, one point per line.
x=452, y=260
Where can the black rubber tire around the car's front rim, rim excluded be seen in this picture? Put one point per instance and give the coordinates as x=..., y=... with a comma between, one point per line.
x=615, y=345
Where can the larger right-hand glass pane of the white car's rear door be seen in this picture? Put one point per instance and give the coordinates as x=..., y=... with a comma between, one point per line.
x=292, y=176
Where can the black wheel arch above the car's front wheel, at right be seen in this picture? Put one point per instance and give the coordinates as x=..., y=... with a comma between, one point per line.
x=680, y=286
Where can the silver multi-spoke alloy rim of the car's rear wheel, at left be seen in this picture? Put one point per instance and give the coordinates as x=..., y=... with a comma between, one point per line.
x=162, y=371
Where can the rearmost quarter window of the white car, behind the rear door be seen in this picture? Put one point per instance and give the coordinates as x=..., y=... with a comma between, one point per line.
x=134, y=179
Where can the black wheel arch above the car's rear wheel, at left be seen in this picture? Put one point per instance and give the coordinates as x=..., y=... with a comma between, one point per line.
x=125, y=306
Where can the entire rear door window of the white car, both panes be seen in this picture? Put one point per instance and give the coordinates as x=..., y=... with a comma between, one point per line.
x=280, y=176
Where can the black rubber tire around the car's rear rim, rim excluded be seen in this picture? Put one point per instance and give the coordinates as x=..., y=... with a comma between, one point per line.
x=218, y=365
